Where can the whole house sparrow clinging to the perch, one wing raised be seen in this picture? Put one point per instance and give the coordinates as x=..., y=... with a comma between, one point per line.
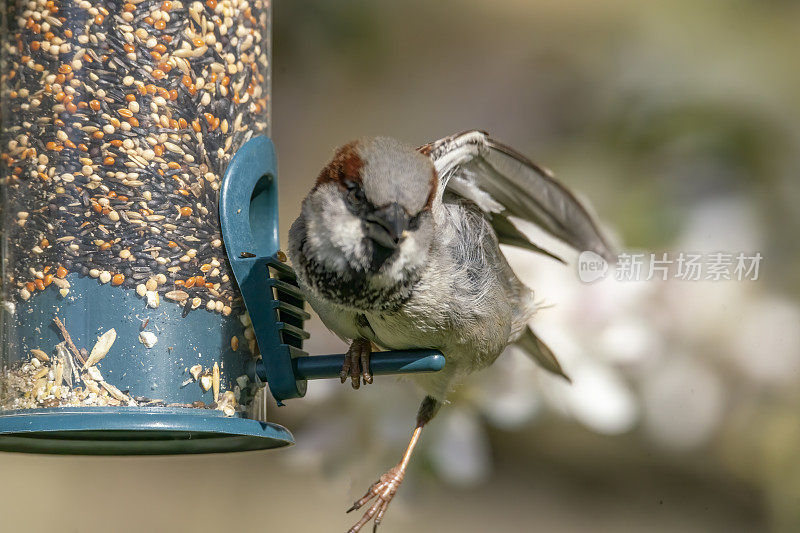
x=399, y=247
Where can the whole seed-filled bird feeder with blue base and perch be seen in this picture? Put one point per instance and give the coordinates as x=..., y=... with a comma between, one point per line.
x=140, y=223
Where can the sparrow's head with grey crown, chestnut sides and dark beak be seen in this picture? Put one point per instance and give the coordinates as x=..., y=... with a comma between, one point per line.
x=369, y=213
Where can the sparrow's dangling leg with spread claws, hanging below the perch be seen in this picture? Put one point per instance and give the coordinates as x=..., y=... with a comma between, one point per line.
x=386, y=487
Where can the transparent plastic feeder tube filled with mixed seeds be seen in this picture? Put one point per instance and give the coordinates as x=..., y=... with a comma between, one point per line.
x=118, y=121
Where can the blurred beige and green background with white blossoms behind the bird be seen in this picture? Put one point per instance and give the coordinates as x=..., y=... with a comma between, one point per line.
x=680, y=121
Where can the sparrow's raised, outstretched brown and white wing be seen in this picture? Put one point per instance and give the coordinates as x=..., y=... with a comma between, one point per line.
x=505, y=183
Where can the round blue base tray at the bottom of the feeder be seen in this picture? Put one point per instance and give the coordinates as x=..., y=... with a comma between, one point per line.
x=135, y=431
